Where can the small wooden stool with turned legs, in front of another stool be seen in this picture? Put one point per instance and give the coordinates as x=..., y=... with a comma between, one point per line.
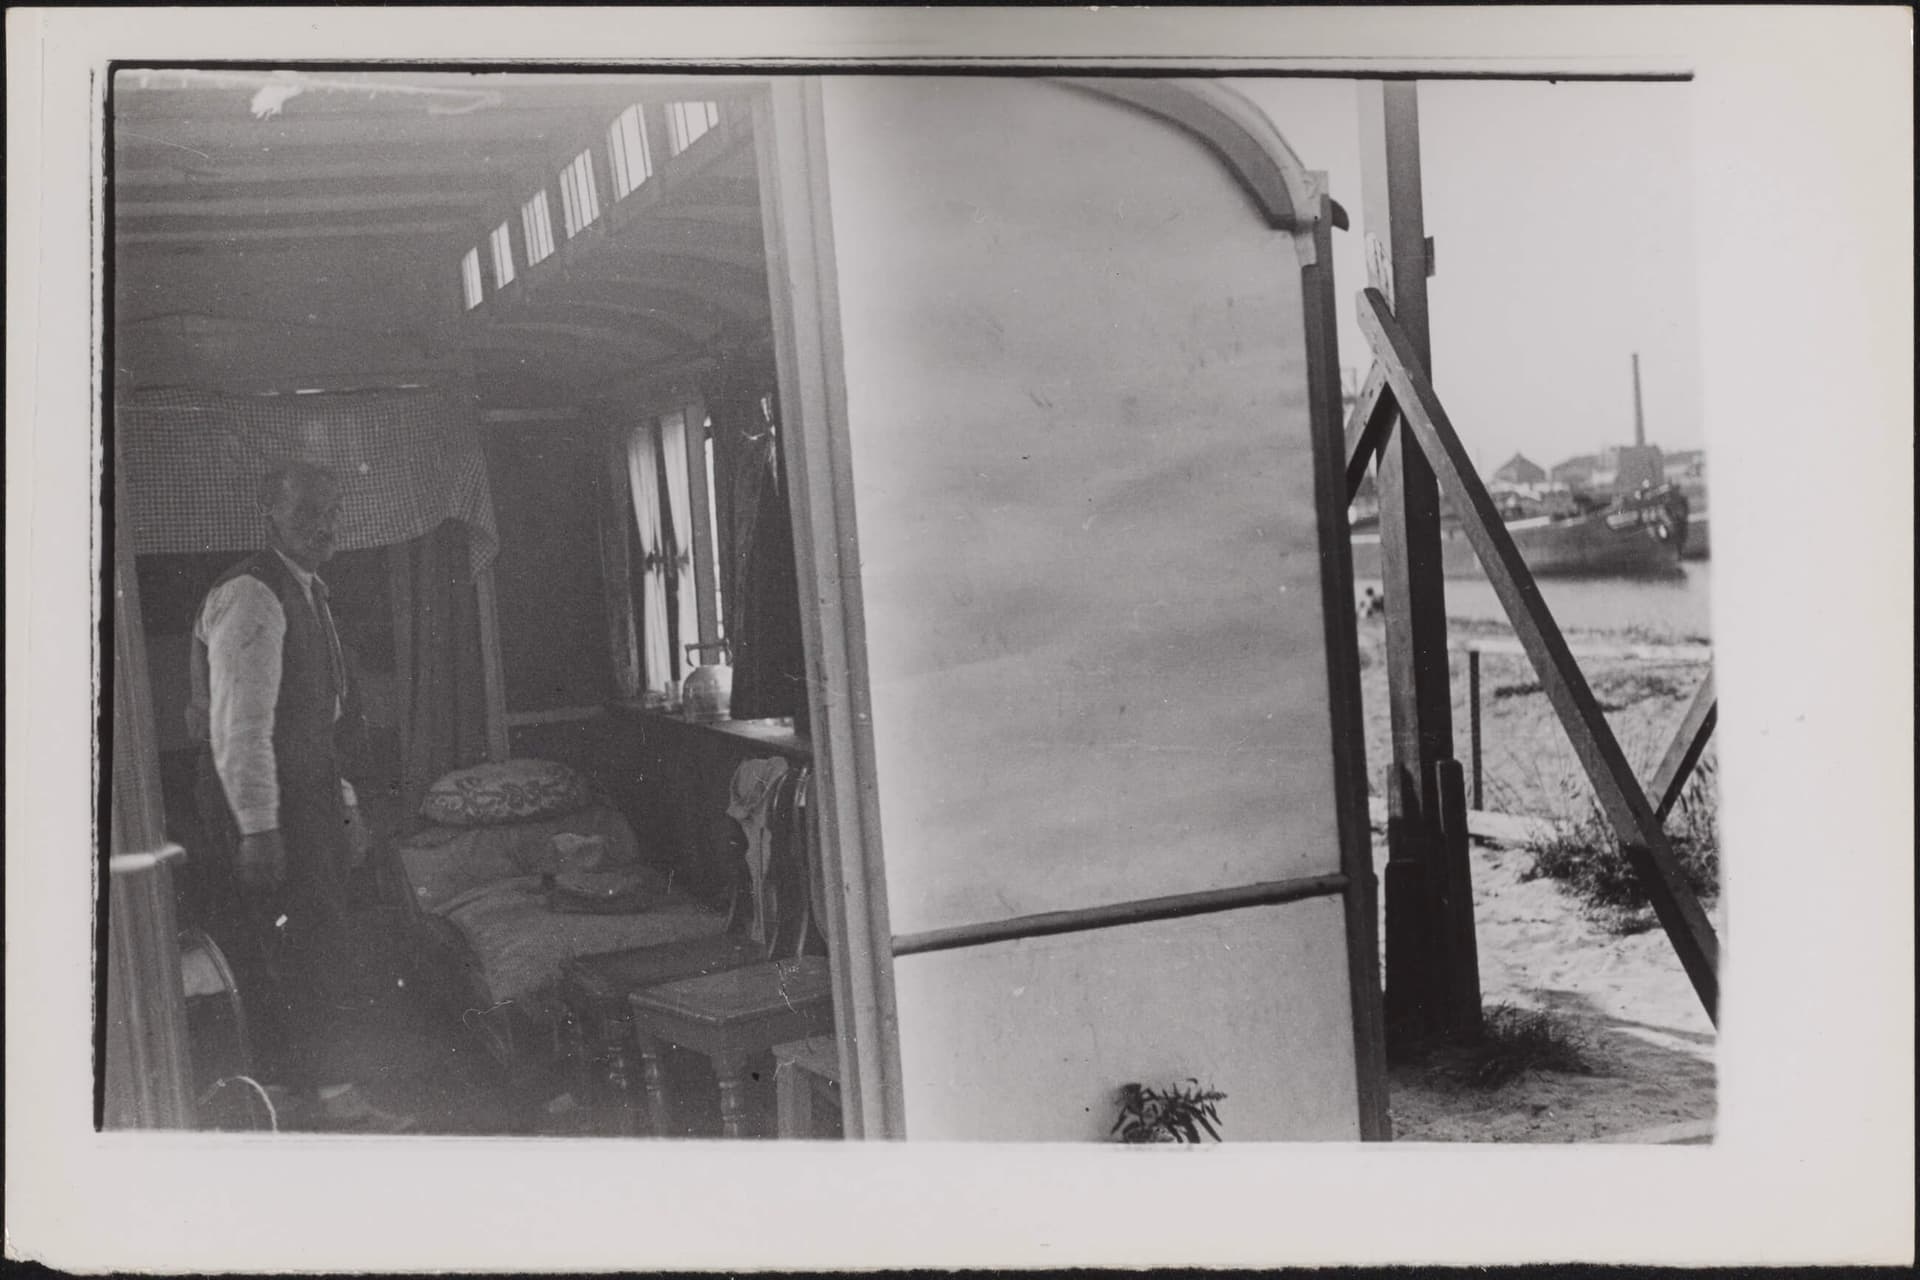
x=731, y=1018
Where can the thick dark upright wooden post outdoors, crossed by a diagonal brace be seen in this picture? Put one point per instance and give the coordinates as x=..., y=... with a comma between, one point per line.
x=1424, y=978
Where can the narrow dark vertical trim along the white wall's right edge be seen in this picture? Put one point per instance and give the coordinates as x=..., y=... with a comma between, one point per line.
x=1343, y=680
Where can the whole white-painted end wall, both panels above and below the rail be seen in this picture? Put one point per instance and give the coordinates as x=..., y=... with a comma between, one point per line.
x=1084, y=483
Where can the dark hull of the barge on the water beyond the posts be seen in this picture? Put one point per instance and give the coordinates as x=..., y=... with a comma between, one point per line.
x=1625, y=542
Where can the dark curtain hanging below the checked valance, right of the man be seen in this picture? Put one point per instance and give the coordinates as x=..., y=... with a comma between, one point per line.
x=446, y=690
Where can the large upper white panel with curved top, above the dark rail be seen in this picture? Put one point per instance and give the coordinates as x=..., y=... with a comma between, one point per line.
x=1082, y=458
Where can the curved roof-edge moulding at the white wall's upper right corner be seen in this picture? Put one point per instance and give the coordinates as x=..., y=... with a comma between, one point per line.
x=1236, y=130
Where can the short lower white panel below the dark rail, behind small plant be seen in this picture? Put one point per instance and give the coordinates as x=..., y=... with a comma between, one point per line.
x=1030, y=1041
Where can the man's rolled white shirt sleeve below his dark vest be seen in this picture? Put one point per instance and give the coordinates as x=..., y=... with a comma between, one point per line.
x=243, y=628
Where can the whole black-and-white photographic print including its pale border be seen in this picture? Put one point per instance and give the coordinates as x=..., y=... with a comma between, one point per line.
x=709, y=613
